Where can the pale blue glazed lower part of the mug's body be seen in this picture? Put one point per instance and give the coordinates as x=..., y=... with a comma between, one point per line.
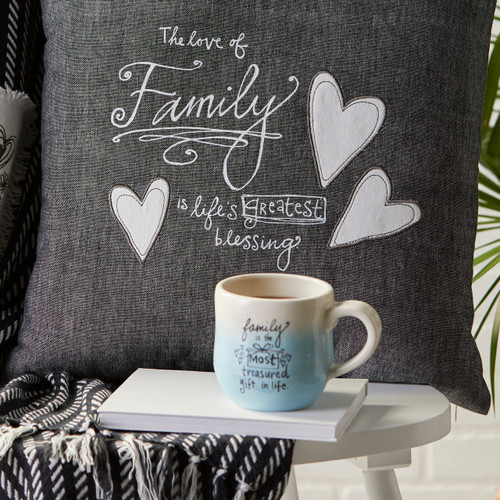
x=257, y=374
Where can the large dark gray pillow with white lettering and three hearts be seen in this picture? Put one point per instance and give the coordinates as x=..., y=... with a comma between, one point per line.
x=184, y=142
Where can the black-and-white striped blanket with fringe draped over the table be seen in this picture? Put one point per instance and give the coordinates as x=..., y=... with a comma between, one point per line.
x=52, y=447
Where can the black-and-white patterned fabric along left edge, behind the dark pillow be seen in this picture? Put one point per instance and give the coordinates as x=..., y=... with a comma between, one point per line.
x=21, y=68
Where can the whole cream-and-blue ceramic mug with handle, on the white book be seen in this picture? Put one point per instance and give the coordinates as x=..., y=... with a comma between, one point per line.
x=273, y=346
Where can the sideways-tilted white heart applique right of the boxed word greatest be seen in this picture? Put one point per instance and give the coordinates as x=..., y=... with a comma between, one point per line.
x=370, y=213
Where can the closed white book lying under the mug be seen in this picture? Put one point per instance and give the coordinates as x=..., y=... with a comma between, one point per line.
x=189, y=401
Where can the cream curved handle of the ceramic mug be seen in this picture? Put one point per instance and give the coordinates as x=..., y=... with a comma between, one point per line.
x=369, y=317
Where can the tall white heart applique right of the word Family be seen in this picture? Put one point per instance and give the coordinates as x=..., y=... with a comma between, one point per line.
x=339, y=132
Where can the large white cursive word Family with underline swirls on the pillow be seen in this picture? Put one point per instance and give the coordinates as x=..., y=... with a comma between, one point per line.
x=241, y=102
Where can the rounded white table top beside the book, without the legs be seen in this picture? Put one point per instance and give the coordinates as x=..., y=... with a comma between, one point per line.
x=393, y=417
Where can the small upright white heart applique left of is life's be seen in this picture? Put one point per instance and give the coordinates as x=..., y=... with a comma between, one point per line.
x=141, y=219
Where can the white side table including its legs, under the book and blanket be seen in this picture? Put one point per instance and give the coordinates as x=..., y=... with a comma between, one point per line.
x=393, y=419
